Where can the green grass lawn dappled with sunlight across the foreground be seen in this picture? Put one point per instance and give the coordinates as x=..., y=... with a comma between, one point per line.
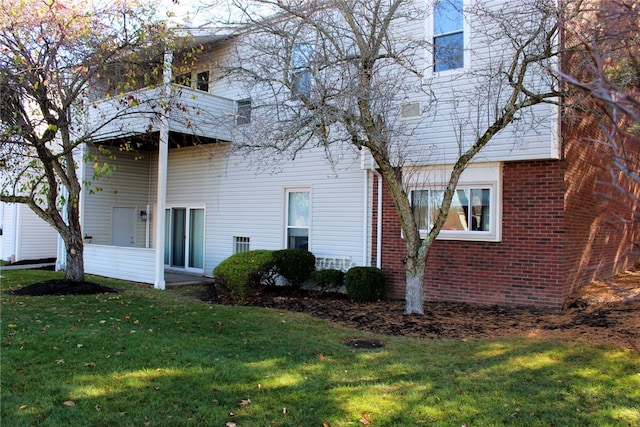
x=145, y=357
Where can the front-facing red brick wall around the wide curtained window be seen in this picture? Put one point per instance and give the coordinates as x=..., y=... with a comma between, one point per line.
x=524, y=269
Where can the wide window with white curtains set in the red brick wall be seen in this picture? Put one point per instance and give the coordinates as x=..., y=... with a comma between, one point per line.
x=470, y=211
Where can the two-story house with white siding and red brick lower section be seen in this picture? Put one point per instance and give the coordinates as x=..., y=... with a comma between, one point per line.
x=185, y=198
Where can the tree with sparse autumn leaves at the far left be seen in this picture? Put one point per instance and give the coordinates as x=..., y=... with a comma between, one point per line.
x=52, y=56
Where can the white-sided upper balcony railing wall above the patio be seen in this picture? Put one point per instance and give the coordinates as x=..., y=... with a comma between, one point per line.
x=189, y=112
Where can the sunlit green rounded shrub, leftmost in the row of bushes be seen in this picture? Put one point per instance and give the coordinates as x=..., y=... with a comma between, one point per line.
x=245, y=272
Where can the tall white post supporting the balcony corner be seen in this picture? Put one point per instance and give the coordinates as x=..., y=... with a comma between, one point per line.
x=163, y=157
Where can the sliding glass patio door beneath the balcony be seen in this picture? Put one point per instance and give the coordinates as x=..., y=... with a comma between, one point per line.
x=184, y=238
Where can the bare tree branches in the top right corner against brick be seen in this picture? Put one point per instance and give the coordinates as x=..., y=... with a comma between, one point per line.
x=604, y=67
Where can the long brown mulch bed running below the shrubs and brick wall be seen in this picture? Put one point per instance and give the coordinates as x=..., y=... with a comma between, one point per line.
x=614, y=323
